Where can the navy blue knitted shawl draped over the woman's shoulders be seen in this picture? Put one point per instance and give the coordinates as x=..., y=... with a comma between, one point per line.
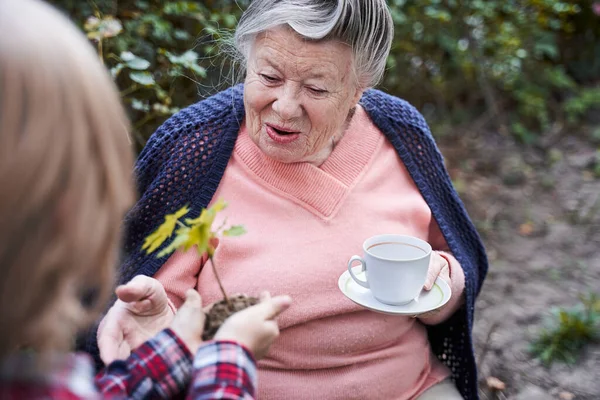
x=185, y=159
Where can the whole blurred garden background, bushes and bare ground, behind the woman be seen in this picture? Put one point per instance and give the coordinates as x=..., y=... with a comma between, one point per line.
x=504, y=80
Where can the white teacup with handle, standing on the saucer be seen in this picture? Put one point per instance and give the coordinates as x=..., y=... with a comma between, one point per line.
x=395, y=267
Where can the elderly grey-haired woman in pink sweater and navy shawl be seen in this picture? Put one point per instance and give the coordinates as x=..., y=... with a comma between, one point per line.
x=313, y=162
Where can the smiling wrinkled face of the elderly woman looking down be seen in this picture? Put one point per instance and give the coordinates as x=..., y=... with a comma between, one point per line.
x=298, y=95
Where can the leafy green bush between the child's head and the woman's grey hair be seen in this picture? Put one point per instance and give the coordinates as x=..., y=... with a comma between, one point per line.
x=161, y=54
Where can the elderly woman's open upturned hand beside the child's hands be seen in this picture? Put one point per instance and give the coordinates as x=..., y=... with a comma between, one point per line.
x=141, y=311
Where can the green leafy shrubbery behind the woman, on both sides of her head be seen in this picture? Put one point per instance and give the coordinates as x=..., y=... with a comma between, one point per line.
x=521, y=65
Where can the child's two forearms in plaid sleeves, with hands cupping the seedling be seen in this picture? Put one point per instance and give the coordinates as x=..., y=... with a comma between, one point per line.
x=222, y=369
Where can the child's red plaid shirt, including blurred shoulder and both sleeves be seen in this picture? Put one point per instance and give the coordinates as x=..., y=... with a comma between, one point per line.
x=161, y=368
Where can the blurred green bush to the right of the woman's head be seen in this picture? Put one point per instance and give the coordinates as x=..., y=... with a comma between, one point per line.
x=517, y=60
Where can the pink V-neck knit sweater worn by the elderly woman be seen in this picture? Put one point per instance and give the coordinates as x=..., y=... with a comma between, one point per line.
x=304, y=223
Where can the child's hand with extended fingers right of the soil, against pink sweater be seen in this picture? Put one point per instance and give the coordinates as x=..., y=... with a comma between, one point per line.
x=255, y=327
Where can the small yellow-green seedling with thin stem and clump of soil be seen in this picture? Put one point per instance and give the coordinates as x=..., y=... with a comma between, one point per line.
x=198, y=233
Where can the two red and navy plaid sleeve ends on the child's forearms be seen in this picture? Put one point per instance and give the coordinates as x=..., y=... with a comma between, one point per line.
x=162, y=367
